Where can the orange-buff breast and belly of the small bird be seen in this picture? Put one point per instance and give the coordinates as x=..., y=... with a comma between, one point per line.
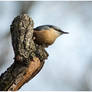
x=45, y=37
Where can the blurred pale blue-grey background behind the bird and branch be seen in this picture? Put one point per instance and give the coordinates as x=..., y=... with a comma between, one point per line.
x=69, y=65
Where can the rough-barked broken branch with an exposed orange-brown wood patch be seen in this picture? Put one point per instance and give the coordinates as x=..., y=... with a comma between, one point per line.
x=29, y=56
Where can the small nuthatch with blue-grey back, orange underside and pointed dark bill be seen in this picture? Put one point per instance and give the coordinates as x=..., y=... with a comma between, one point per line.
x=46, y=35
